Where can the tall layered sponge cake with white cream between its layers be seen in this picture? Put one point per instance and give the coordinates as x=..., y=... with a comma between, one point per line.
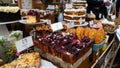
x=75, y=16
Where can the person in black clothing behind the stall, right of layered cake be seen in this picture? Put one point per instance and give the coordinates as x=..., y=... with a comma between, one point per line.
x=98, y=7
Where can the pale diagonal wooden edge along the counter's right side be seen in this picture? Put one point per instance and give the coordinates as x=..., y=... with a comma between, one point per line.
x=101, y=59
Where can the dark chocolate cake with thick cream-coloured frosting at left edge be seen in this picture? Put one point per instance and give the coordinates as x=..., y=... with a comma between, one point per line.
x=8, y=13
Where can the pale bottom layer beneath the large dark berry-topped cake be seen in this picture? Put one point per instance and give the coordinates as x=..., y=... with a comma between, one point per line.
x=60, y=63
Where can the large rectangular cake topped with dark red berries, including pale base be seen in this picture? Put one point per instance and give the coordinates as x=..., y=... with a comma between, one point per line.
x=64, y=49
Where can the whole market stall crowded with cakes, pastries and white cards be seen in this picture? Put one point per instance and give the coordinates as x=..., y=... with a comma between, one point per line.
x=57, y=35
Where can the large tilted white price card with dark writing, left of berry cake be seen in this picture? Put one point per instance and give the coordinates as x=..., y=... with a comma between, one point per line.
x=24, y=44
